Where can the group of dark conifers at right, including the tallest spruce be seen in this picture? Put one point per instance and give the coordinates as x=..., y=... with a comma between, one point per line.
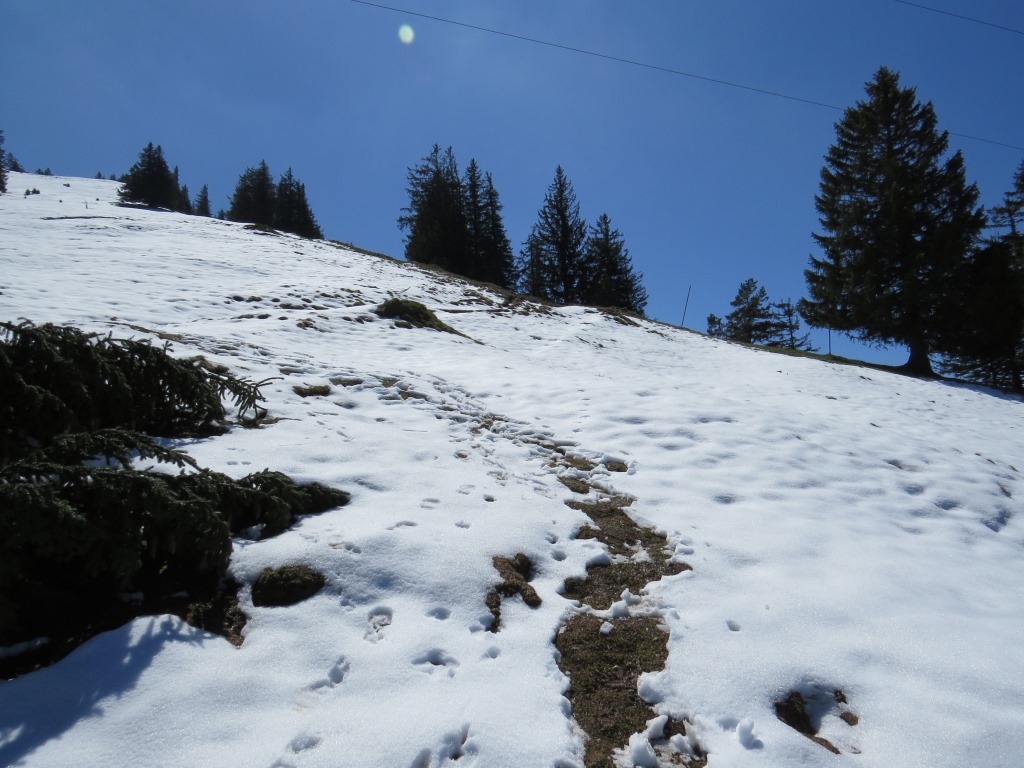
x=909, y=257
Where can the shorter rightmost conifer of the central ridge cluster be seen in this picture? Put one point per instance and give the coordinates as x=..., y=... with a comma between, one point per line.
x=610, y=278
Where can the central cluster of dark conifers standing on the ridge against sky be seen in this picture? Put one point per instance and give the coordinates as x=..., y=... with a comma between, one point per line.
x=454, y=221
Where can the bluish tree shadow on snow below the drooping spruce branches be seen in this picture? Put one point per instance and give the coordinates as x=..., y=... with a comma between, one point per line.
x=44, y=706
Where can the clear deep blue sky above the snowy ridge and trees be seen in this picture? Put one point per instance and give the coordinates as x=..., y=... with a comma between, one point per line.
x=709, y=184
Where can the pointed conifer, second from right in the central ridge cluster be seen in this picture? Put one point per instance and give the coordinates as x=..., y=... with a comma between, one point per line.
x=553, y=258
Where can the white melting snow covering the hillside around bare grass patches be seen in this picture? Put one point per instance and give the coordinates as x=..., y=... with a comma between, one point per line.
x=848, y=529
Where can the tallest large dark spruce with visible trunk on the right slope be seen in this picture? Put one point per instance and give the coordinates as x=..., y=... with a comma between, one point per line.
x=899, y=221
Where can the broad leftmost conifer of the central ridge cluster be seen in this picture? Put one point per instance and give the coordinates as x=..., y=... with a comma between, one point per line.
x=436, y=219
